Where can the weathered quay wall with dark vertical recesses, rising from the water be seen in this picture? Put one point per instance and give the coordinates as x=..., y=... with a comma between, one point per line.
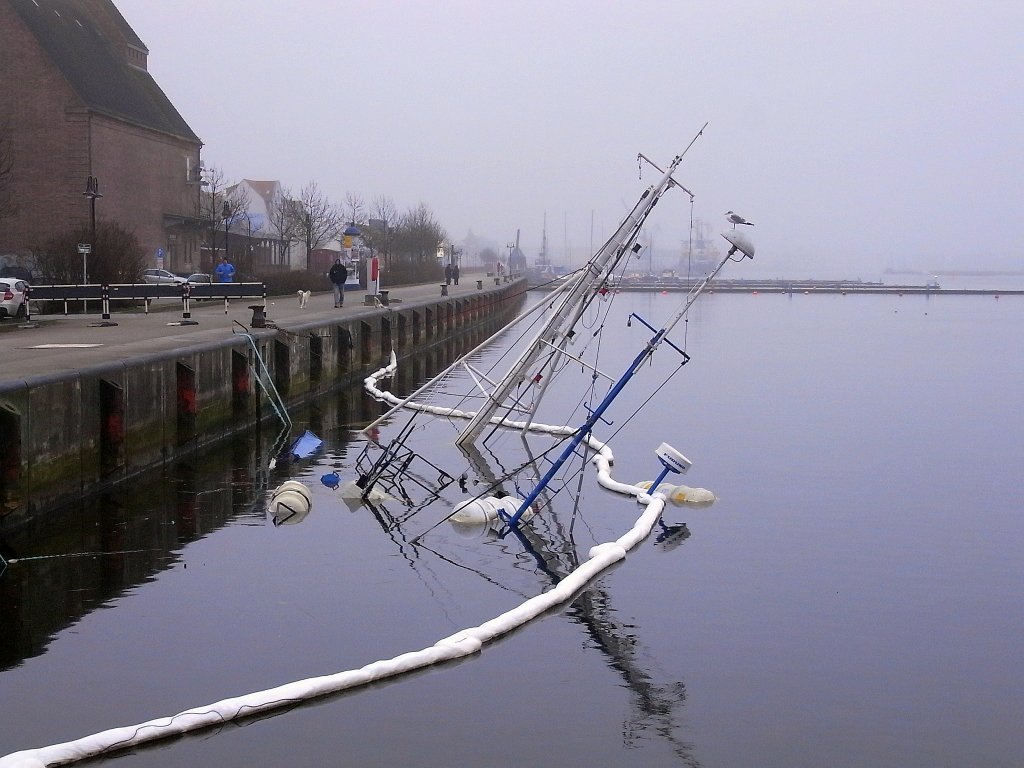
x=74, y=433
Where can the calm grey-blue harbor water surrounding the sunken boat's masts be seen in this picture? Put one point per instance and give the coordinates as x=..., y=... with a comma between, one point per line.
x=855, y=599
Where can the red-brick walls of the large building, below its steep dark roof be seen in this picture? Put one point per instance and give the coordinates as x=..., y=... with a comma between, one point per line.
x=58, y=145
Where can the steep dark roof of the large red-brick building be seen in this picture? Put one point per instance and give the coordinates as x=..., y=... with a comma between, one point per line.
x=91, y=42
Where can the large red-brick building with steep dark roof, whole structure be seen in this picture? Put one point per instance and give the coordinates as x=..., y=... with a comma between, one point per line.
x=77, y=101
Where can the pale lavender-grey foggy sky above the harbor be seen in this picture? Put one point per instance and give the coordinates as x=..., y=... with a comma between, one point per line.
x=857, y=137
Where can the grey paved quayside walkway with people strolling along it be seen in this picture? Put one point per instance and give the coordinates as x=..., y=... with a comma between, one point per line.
x=55, y=344
